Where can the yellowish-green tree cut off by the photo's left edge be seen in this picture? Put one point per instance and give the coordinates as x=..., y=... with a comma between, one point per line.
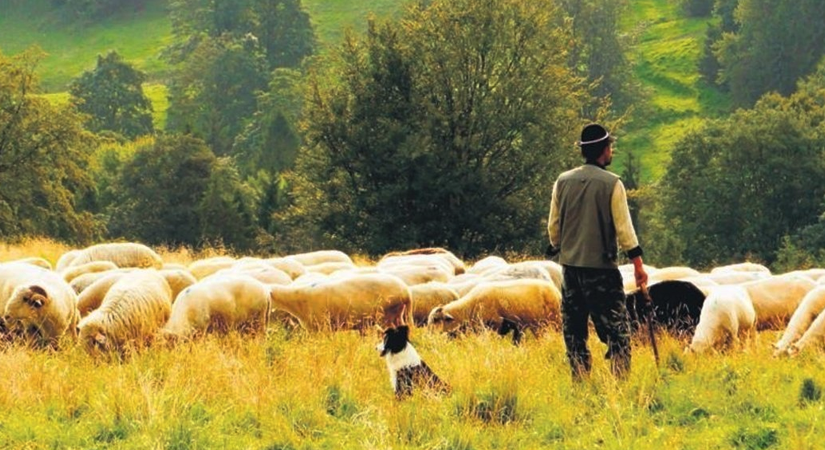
x=44, y=155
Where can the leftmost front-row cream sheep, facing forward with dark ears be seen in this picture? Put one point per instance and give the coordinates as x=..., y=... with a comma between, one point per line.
x=36, y=303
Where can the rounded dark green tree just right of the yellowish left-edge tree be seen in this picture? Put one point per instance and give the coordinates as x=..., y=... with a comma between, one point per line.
x=160, y=190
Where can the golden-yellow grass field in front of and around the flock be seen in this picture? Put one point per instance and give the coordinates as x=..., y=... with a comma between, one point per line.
x=291, y=389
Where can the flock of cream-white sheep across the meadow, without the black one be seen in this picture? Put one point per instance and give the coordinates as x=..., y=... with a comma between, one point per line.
x=114, y=297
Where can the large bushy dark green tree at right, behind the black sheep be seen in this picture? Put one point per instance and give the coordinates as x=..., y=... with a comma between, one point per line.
x=764, y=165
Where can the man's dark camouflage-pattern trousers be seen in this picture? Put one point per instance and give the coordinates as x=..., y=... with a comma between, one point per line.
x=596, y=293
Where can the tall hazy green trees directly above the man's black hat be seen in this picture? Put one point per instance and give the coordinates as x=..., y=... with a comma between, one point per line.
x=599, y=51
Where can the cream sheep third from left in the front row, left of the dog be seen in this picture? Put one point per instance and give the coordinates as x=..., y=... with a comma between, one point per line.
x=220, y=304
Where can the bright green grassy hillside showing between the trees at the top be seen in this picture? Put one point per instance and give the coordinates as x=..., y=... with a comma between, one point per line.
x=665, y=50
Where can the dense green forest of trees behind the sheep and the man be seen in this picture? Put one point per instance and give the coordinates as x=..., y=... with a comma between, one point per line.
x=441, y=124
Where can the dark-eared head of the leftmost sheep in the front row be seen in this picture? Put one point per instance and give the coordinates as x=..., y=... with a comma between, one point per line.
x=25, y=311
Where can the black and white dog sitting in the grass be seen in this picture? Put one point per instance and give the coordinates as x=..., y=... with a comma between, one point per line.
x=406, y=368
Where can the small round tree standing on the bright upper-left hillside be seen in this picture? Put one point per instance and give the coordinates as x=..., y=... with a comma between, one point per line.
x=112, y=95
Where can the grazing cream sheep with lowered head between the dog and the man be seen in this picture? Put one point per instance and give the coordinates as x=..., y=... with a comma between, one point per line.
x=513, y=304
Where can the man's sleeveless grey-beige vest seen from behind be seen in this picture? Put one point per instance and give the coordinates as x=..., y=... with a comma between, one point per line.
x=586, y=228
